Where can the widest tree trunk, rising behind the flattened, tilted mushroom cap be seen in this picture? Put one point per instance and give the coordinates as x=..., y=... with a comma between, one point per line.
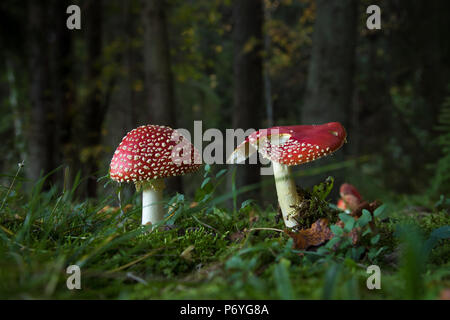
x=330, y=79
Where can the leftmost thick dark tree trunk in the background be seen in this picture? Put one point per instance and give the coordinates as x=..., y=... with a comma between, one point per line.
x=40, y=138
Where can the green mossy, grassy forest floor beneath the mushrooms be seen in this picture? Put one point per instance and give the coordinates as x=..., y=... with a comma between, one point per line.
x=206, y=252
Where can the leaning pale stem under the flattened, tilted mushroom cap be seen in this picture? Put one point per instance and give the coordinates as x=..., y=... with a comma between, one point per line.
x=286, y=192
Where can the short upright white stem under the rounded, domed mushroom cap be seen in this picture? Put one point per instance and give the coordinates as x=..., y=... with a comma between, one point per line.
x=152, y=202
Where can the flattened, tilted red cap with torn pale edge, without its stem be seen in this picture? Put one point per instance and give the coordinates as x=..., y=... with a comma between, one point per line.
x=293, y=145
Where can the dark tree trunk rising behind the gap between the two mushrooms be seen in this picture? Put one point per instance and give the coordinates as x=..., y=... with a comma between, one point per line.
x=248, y=104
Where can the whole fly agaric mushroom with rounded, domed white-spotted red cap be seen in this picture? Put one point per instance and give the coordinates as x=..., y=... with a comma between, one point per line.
x=146, y=156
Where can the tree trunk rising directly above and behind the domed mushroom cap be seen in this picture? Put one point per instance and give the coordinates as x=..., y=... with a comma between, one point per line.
x=158, y=75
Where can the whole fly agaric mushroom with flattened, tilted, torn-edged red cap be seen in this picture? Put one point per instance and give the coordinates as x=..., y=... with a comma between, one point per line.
x=289, y=146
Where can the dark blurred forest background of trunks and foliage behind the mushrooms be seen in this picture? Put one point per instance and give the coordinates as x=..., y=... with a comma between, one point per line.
x=69, y=96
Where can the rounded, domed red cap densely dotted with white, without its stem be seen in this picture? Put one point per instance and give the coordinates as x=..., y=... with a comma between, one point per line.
x=149, y=152
